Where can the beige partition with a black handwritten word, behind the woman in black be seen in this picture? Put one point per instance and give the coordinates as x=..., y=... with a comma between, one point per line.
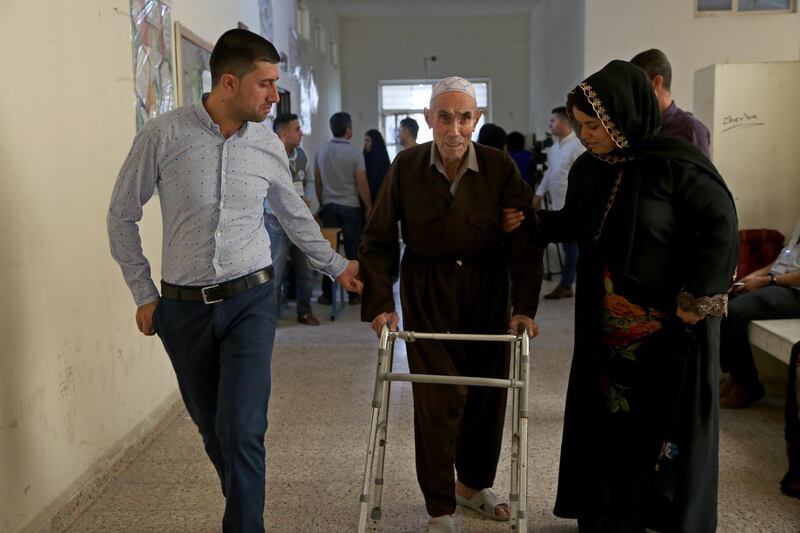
x=752, y=112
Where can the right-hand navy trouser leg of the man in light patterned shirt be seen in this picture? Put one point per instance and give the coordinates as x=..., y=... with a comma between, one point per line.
x=247, y=332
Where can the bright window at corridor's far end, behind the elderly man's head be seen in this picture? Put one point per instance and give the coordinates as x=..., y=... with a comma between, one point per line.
x=408, y=98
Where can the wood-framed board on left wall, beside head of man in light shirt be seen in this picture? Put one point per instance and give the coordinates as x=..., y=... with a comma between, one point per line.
x=194, y=70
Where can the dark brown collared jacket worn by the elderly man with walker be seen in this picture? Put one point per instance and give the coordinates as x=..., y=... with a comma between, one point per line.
x=457, y=261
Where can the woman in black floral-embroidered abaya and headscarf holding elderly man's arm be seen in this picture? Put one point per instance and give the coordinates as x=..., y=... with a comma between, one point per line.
x=657, y=231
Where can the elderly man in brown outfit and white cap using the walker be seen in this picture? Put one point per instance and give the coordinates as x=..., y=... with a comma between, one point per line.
x=454, y=278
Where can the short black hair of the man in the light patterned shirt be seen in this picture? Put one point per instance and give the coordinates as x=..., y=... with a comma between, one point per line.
x=237, y=52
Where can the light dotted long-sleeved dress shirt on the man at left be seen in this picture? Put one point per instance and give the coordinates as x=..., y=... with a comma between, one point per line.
x=212, y=193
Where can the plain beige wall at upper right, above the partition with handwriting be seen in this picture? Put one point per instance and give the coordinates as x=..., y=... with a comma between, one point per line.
x=618, y=29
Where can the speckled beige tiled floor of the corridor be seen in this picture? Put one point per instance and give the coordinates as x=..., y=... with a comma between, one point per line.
x=319, y=416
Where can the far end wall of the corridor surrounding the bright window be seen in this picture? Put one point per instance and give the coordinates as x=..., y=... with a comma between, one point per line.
x=376, y=49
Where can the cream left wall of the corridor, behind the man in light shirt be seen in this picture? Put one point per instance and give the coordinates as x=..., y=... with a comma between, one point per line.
x=77, y=381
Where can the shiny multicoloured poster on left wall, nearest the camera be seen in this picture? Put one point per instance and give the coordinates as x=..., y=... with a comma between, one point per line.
x=151, y=32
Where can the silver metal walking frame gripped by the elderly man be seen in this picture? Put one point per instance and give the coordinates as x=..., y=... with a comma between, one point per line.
x=519, y=383
